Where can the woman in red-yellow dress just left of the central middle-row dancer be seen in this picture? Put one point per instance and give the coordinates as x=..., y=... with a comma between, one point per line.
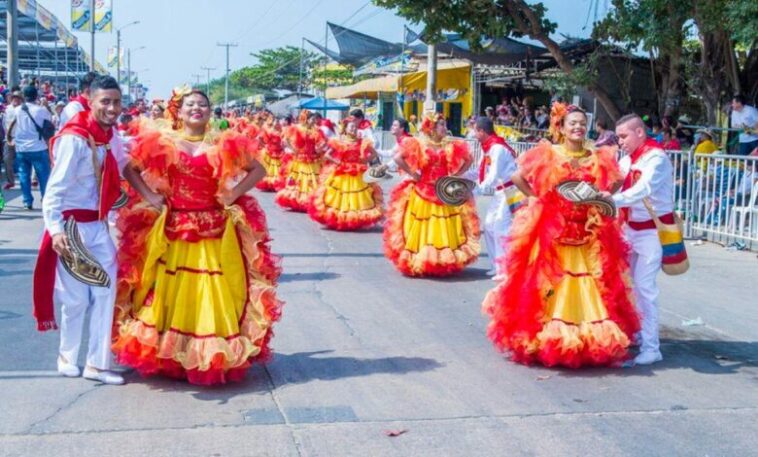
x=343, y=200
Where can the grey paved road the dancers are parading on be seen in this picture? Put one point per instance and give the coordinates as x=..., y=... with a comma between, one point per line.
x=362, y=351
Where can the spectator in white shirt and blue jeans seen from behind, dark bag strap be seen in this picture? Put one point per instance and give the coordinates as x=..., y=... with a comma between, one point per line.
x=31, y=146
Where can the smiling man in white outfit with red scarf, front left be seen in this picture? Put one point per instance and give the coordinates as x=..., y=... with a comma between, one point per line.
x=83, y=186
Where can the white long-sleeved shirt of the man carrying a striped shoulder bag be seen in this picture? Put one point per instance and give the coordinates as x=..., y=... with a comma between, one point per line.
x=655, y=183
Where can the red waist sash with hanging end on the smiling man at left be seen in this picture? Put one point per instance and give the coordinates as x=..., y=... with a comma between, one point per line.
x=44, y=272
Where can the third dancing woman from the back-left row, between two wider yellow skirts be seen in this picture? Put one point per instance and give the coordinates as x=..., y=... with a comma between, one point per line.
x=307, y=143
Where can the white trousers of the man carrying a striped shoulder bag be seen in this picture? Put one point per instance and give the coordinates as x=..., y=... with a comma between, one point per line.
x=645, y=263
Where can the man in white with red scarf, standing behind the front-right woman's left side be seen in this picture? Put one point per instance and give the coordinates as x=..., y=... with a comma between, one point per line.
x=495, y=170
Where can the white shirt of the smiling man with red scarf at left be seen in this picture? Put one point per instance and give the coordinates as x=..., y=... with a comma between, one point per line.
x=72, y=183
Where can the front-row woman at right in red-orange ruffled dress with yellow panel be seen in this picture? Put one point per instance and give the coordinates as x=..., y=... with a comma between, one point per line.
x=566, y=299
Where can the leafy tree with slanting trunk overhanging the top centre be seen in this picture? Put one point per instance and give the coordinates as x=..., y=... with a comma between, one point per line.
x=474, y=19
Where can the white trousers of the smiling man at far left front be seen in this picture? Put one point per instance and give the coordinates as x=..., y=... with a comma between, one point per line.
x=76, y=298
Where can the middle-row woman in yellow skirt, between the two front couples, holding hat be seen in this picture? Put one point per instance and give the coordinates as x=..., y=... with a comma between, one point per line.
x=422, y=235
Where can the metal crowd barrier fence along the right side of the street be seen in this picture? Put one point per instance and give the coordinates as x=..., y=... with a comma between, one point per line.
x=716, y=194
